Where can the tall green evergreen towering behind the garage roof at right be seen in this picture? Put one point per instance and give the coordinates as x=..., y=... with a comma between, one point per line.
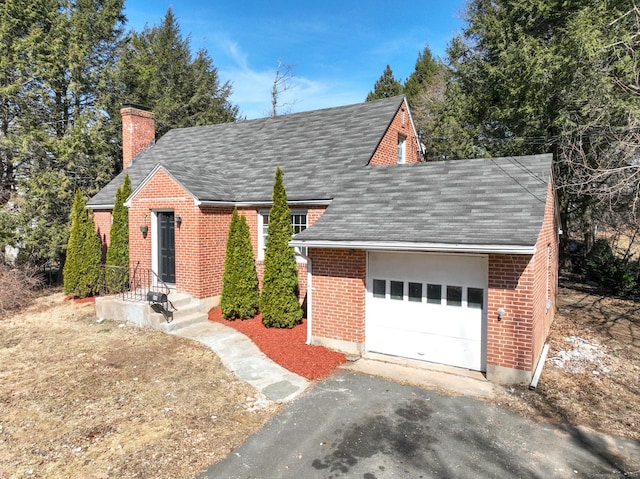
x=561, y=77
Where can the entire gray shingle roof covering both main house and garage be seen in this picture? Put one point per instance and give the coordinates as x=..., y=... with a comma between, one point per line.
x=324, y=153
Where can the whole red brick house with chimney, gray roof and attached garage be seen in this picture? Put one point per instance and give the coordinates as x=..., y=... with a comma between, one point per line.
x=453, y=262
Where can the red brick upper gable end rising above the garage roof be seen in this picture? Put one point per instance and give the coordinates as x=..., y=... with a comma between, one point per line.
x=387, y=151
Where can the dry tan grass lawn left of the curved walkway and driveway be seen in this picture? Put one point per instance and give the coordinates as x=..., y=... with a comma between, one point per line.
x=106, y=400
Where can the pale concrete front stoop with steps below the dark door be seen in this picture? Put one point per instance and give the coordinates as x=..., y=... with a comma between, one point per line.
x=188, y=311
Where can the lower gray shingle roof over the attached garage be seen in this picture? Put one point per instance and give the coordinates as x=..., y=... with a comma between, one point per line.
x=494, y=201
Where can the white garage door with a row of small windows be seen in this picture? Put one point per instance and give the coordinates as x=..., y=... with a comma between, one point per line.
x=430, y=307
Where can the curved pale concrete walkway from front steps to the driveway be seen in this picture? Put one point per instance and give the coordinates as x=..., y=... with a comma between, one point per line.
x=241, y=356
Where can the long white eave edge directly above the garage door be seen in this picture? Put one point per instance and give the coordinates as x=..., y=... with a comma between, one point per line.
x=426, y=247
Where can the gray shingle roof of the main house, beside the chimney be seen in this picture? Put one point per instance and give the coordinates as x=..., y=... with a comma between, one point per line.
x=236, y=162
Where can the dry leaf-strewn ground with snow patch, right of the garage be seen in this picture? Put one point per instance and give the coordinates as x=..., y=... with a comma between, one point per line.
x=592, y=374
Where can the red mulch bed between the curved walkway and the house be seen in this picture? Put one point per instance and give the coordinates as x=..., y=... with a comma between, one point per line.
x=286, y=346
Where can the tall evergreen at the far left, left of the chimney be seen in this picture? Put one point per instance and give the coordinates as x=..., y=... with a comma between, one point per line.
x=55, y=138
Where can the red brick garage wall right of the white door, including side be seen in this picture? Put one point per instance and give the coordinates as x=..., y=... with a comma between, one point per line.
x=518, y=284
